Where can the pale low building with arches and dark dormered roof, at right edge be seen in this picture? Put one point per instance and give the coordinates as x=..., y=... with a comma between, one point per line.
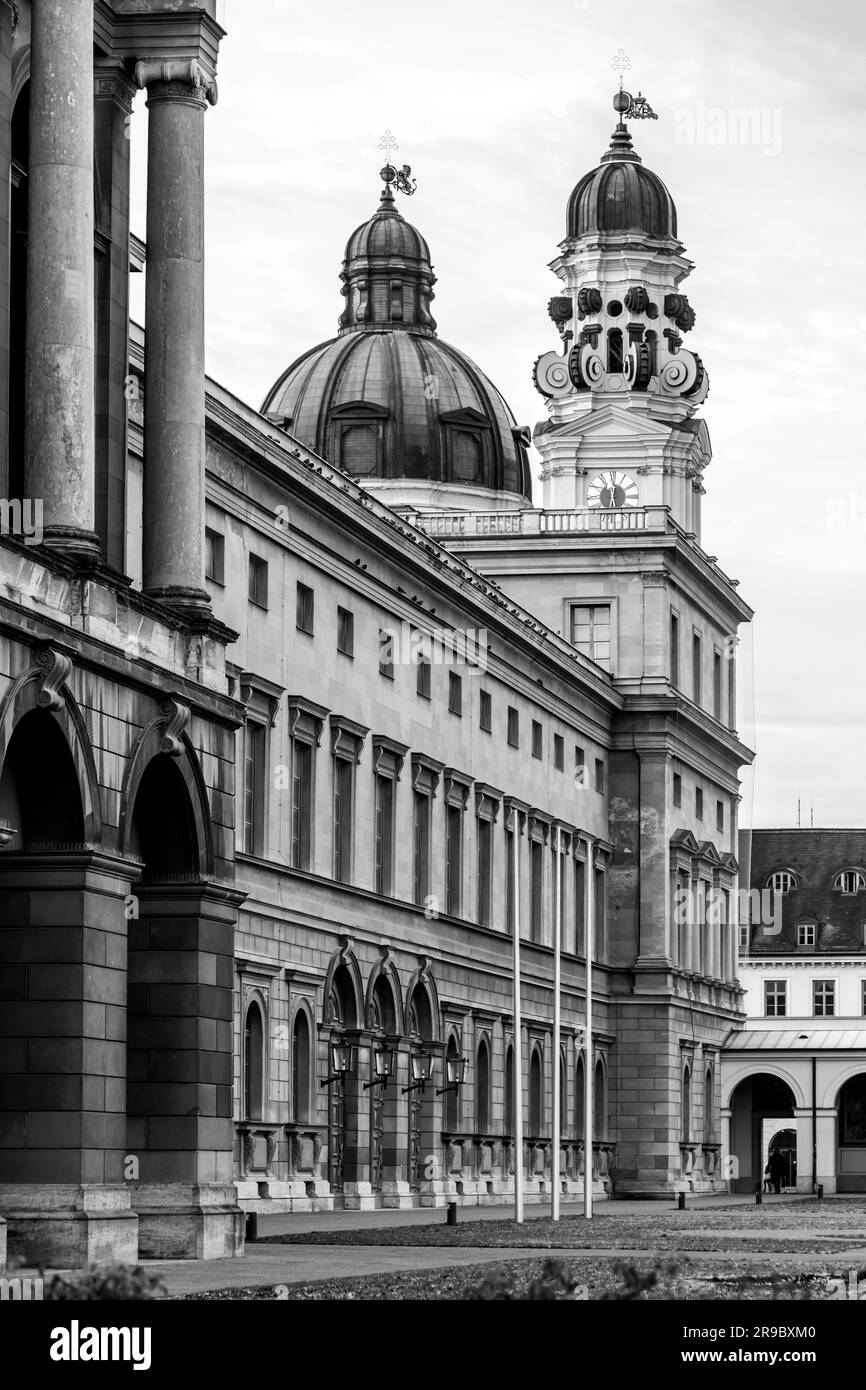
x=794, y=1078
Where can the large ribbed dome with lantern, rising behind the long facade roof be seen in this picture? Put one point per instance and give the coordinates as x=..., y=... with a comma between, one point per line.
x=387, y=400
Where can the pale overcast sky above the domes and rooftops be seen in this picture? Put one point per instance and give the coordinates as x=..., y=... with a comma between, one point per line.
x=501, y=108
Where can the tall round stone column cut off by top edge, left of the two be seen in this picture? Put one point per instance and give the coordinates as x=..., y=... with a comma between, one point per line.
x=59, y=370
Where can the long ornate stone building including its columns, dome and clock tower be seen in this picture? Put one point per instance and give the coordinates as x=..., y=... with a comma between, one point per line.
x=288, y=696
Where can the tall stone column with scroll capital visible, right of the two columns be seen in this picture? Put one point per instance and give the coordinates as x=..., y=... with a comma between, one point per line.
x=179, y=92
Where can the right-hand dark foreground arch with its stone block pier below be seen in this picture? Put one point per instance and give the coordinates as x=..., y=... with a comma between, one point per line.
x=181, y=971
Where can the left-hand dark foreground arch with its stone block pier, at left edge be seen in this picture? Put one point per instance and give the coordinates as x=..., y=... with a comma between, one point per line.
x=63, y=995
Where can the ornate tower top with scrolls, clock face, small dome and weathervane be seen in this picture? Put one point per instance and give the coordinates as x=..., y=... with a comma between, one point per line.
x=623, y=383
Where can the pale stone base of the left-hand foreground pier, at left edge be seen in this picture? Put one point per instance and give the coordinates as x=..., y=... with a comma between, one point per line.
x=69, y=1227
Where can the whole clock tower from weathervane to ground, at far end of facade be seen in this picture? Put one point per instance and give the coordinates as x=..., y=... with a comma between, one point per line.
x=614, y=562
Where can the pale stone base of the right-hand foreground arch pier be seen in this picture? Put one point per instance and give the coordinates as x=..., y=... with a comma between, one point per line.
x=184, y=1221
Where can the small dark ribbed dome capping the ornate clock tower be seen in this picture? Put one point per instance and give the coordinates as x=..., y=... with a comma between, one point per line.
x=621, y=198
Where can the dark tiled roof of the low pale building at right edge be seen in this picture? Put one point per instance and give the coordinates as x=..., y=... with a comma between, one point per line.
x=815, y=857
